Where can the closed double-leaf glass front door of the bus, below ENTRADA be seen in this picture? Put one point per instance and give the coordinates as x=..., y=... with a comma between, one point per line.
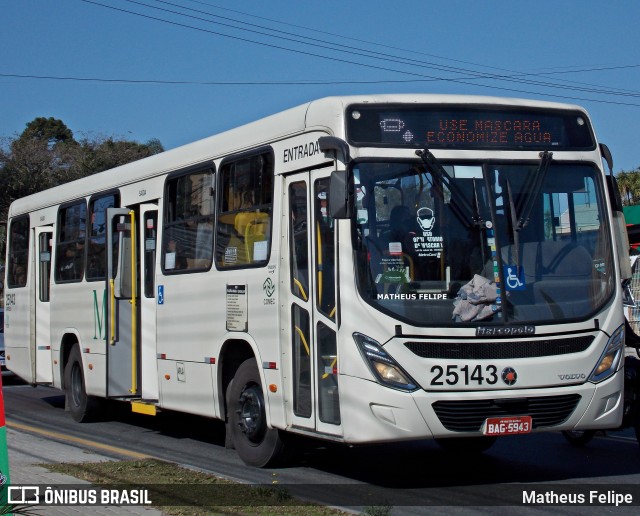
x=309, y=315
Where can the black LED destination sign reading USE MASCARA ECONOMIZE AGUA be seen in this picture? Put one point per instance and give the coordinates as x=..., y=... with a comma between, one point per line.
x=468, y=128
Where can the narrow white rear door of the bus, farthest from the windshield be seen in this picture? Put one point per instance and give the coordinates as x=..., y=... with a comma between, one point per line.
x=42, y=257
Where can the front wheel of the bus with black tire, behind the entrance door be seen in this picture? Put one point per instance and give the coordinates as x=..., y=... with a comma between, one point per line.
x=256, y=444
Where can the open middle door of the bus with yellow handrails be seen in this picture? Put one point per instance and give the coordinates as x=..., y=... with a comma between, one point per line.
x=131, y=302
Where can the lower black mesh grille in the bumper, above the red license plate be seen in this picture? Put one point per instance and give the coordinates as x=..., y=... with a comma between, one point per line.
x=469, y=415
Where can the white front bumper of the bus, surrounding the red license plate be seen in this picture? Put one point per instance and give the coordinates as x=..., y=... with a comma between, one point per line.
x=386, y=415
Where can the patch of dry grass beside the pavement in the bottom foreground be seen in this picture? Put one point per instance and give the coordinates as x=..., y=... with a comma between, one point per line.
x=184, y=492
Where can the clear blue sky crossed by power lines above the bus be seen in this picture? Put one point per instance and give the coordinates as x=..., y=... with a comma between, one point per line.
x=577, y=51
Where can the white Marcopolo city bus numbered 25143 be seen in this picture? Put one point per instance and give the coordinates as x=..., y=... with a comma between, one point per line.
x=361, y=269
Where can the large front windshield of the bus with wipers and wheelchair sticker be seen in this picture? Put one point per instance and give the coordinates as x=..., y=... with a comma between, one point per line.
x=482, y=243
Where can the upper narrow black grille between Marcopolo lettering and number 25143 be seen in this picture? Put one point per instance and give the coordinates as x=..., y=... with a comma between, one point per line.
x=479, y=350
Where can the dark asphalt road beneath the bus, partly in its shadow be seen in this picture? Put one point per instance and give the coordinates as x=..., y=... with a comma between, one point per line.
x=401, y=475
